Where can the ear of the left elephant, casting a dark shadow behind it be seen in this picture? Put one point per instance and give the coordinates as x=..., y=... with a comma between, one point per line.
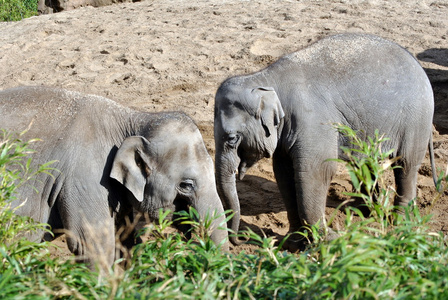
x=131, y=165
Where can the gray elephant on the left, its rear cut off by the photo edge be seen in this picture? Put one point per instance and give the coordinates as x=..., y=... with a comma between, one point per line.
x=110, y=159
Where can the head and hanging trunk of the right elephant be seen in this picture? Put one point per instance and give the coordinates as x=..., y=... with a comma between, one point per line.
x=246, y=129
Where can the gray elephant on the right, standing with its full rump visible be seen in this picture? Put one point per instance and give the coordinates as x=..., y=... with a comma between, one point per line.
x=286, y=112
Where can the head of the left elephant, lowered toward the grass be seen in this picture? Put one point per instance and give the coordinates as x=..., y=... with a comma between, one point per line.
x=169, y=167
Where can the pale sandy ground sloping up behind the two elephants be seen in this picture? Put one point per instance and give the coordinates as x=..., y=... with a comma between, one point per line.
x=172, y=55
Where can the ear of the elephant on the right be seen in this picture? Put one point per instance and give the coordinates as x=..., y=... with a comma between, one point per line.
x=270, y=110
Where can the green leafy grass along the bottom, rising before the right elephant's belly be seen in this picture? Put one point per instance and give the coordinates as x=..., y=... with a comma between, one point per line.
x=371, y=259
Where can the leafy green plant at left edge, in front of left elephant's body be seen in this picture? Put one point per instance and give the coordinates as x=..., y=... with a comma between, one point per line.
x=18, y=255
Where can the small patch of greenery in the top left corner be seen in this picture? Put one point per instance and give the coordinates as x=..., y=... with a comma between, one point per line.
x=16, y=10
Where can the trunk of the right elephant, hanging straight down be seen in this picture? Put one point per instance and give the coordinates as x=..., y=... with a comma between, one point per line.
x=226, y=185
